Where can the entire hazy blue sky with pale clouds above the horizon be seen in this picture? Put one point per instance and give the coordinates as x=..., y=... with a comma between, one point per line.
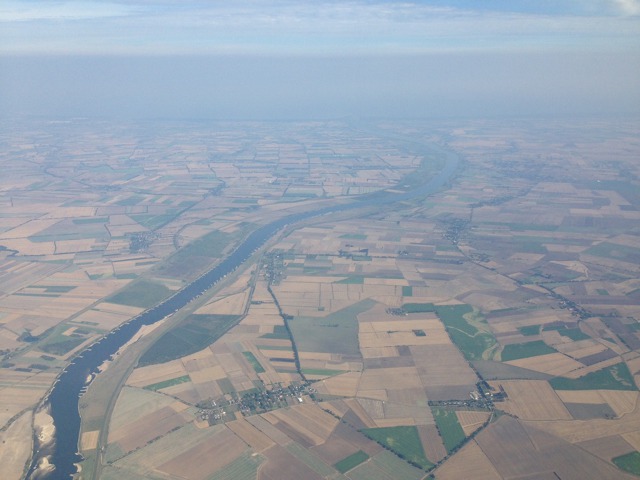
x=319, y=59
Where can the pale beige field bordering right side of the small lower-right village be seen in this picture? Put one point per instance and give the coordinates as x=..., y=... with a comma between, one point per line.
x=532, y=400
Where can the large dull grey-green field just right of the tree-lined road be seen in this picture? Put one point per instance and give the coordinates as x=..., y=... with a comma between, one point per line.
x=335, y=333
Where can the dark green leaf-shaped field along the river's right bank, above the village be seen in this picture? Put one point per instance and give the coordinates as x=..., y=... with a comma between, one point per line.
x=194, y=334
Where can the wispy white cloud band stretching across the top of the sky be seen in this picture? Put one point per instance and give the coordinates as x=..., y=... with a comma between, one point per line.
x=294, y=27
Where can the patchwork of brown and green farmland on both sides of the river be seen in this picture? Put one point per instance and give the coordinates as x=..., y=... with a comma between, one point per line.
x=488, y=330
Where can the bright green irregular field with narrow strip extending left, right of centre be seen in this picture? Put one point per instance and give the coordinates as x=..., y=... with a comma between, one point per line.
x=471, y=341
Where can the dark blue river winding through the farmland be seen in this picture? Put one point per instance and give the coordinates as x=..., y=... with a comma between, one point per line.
x=65, y=395
